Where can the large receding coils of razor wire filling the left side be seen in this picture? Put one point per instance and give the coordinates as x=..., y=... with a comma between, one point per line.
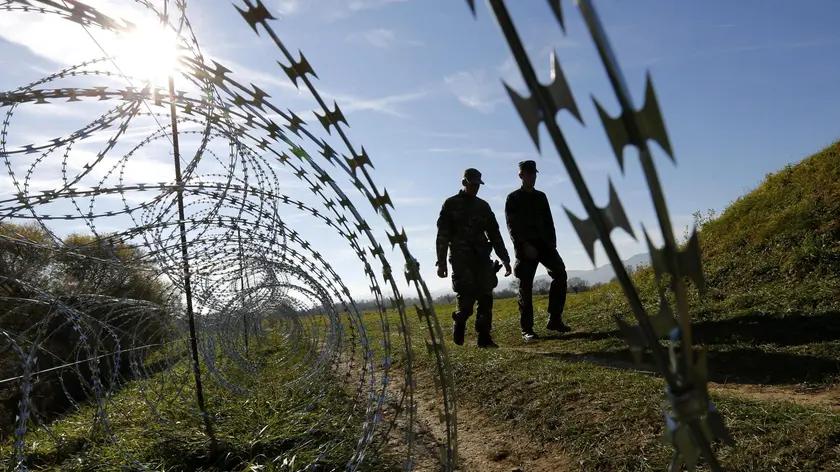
x=227, y=250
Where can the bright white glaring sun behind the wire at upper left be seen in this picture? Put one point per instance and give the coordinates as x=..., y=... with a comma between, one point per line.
x=148, y=53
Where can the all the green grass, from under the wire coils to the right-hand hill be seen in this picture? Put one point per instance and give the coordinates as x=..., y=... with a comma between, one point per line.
x=771, y=318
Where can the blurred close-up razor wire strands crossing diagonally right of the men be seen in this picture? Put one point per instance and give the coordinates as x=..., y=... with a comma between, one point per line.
x=694, y=422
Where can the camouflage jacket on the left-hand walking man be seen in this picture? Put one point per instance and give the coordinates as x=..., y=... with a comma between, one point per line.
x=464, y=225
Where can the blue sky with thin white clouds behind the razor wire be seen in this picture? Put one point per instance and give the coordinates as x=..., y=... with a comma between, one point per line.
x=745, y=88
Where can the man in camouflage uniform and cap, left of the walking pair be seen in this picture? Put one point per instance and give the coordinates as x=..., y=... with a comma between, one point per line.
x=468, y=228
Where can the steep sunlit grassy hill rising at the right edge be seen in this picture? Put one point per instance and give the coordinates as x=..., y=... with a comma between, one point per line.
x=782, y=237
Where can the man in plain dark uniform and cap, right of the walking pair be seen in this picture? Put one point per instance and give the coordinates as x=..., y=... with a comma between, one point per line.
x=531, y=230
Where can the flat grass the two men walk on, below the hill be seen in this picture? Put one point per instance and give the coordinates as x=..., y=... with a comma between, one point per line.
x=581, y=392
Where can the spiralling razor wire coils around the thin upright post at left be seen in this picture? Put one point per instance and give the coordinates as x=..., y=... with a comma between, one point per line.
x=235, y=251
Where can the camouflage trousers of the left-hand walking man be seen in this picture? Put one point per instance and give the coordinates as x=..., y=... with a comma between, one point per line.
x=473, y=282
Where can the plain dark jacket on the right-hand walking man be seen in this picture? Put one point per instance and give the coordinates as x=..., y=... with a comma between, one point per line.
x=529, y=220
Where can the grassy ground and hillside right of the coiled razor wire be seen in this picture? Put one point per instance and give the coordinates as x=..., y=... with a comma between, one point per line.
x=771, y=323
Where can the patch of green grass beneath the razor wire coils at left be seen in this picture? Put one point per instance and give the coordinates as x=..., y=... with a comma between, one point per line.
x=276, y=427
